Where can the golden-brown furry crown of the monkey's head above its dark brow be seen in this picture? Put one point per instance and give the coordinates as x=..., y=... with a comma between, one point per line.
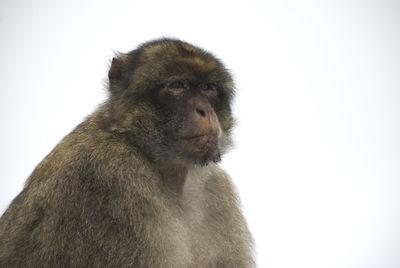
x=166, y=59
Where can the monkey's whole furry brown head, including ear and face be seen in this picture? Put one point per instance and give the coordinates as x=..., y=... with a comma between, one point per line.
x=172, y=100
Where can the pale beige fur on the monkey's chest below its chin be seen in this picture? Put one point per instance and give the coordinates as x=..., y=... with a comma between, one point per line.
x=192, y=226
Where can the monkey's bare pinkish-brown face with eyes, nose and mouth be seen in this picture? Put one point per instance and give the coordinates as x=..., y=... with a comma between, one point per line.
x=191, y=127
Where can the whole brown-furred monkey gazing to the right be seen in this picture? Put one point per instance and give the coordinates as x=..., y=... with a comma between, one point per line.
x=138, y=182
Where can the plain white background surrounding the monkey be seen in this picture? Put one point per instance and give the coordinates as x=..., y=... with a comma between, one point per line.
x=317, y=151
